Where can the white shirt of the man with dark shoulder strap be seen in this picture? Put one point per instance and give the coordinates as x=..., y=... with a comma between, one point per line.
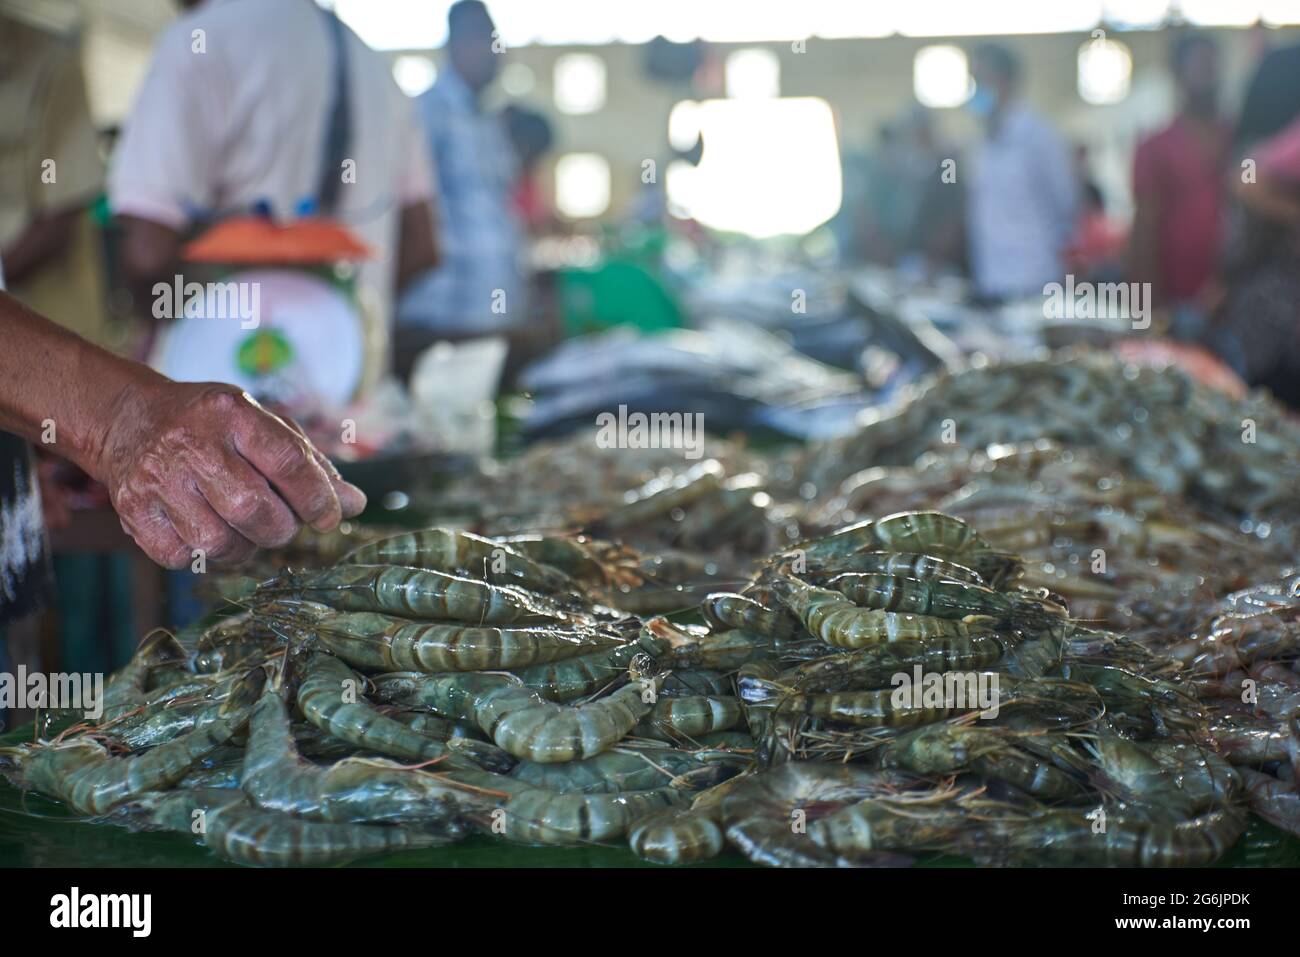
x=235, y=112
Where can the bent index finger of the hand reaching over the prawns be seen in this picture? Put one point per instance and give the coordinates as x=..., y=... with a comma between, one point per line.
x=287, y=461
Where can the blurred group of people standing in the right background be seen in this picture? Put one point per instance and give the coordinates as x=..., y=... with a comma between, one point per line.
x=1216, y=227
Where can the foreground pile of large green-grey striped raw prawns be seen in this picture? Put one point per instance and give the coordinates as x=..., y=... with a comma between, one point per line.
x=882, y=694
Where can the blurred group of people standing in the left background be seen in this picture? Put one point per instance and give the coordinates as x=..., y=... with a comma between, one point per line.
x=443, y=189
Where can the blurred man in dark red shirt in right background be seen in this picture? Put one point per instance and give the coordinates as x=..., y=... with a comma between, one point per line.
x=1180, y=190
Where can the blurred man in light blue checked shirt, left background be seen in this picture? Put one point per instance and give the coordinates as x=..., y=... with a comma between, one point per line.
x=479, y=287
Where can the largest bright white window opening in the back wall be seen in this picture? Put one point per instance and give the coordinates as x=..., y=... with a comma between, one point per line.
x=770, y=168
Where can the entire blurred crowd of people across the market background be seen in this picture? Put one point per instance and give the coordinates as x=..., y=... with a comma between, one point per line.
x=447, y=192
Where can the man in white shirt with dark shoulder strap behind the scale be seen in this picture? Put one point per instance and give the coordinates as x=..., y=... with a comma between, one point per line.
x=271, y=109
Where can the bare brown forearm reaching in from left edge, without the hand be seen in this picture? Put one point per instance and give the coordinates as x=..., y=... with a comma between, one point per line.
x=55, y=386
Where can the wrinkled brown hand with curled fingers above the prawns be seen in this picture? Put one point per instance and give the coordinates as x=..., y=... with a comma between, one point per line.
x=203, y=466
